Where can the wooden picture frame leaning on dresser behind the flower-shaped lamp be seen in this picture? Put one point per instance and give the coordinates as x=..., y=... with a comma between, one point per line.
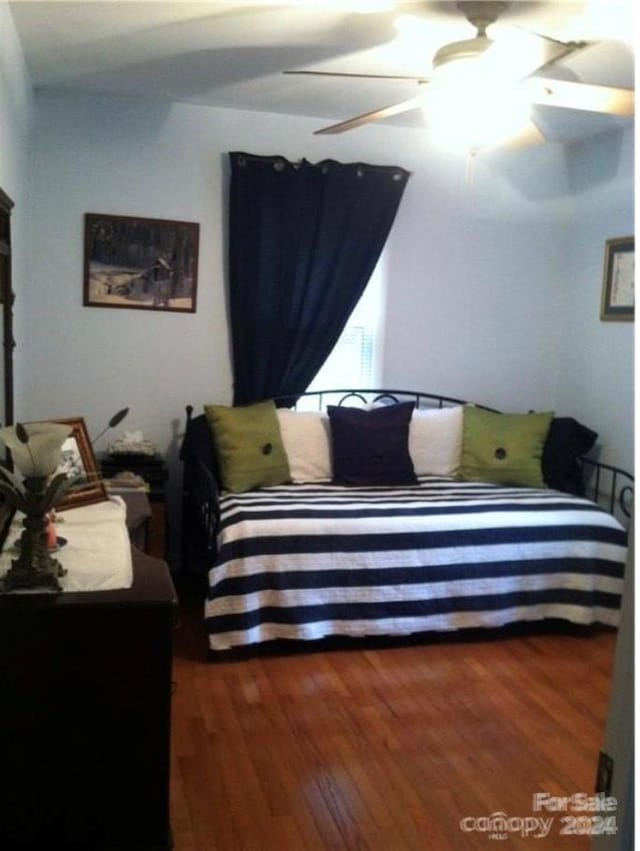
x=79, y=463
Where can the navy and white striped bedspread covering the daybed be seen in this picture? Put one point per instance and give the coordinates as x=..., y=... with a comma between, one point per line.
x=308, y=561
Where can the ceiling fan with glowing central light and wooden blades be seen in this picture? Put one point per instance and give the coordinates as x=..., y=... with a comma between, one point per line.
x=481, y=90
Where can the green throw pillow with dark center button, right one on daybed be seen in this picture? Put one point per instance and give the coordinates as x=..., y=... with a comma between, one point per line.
x=503, y=448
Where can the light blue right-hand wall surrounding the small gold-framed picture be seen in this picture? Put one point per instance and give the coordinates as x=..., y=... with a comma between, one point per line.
x=595, y=359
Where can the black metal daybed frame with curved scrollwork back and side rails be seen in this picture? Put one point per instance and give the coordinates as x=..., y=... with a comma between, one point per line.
x=609, y=486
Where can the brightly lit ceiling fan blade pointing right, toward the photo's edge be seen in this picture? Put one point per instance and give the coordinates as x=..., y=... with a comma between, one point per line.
x=582, y=96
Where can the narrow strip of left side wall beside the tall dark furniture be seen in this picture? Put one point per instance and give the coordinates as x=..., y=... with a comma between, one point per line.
x=15, y=119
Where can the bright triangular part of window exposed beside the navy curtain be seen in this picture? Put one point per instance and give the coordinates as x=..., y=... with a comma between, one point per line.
x=355, y=361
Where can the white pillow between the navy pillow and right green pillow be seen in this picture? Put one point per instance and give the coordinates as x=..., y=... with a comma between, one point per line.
x=435, y=441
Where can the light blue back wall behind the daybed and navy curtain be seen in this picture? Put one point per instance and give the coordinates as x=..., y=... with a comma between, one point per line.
x=480, y=282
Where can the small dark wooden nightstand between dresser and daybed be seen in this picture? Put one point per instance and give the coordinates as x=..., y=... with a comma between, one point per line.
x=153, y=470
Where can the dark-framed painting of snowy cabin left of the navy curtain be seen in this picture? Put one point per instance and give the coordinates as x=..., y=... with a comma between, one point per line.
x=145, y=264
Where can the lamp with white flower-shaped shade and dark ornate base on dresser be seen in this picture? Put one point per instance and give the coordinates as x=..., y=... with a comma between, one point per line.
x=36, y=452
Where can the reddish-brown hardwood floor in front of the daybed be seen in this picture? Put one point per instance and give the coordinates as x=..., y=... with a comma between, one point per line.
x=383, y=748
